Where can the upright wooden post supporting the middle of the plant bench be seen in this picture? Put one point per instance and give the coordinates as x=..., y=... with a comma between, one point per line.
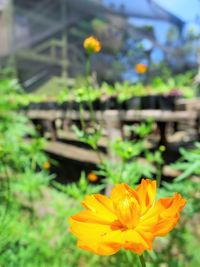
x=114, y=130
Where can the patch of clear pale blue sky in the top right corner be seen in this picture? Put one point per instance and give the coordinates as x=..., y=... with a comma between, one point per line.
x=185, y=9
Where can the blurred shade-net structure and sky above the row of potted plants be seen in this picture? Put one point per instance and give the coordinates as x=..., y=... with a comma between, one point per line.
x=43, y=39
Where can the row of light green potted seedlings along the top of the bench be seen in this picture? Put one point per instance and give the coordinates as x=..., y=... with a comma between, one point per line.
x=180, y=85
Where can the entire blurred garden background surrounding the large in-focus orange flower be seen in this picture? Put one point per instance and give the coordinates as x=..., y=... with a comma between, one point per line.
x=76, y=119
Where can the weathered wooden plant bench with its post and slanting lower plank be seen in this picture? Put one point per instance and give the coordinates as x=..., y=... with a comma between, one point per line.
x=63, y=142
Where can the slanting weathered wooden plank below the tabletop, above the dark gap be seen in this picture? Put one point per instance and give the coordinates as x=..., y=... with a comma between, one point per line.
x=72, y=152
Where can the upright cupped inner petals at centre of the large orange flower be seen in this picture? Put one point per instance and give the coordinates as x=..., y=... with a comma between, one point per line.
x=127, y=211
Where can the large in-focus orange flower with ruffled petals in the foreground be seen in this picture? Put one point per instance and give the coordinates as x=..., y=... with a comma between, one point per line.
x=129, y=219
